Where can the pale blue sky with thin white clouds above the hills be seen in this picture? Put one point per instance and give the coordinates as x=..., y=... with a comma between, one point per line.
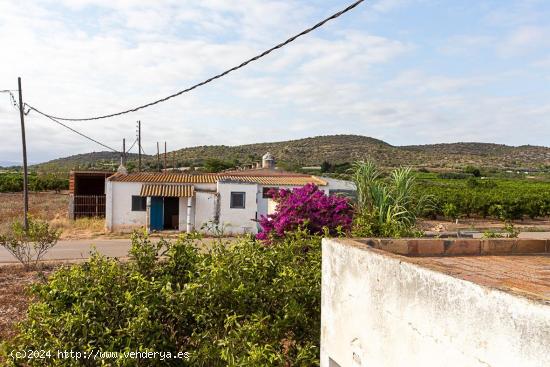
x=404, y=71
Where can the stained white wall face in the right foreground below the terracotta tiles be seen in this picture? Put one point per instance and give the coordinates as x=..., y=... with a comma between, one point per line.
x=380, y=311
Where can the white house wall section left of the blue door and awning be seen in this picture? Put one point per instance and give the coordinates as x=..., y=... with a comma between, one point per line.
x=123, y=218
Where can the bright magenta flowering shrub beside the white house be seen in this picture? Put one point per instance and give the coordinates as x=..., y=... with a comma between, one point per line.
x=309, y=208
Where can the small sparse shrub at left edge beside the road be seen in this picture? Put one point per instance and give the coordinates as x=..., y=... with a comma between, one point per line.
x=29, y=246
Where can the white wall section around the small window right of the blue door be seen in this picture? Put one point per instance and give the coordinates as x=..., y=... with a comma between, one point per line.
x=238, y=220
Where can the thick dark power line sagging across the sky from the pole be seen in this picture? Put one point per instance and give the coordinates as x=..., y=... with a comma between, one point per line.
x=243, y=64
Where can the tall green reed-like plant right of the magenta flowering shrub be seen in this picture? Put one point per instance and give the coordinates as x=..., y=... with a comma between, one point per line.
x=386, y=207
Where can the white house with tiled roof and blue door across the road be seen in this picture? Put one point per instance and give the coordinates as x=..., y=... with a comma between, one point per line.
x=186, y=202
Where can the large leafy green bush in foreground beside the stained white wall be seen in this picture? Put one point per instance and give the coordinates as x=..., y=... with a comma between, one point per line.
x=241, y=303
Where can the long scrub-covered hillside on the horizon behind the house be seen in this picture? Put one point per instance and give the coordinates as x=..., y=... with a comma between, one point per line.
x=336, y=149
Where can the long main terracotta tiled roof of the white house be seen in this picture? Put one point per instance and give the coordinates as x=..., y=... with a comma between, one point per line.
x=182, y=178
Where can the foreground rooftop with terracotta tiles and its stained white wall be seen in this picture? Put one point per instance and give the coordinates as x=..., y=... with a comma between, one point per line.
x=435, y=302
